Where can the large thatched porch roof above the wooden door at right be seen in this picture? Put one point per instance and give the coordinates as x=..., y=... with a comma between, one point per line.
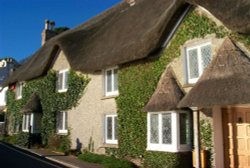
x=226, y=80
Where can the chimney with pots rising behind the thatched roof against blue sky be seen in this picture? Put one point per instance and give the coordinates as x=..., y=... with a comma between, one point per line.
x=48, y=32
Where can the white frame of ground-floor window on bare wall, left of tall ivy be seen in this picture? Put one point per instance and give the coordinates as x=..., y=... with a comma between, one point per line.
x=113, y=140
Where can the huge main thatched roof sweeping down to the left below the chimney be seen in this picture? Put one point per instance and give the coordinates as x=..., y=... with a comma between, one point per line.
x=121, y=34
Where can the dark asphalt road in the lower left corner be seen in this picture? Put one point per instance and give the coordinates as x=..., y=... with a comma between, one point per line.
x=10, y=157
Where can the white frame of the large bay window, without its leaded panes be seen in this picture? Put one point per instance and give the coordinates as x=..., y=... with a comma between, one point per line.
x=175, y=146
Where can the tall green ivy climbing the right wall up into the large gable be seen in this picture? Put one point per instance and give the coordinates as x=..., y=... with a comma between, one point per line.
x=138, y=80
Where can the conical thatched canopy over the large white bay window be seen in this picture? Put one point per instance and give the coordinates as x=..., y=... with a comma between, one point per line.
x=167, y=94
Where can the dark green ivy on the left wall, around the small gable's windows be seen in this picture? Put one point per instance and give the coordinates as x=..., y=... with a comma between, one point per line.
x=51, y=101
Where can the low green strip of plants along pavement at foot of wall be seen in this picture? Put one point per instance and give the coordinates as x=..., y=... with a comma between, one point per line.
x=106, y=161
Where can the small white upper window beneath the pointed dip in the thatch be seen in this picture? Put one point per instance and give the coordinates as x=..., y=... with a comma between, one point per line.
x=62, y=80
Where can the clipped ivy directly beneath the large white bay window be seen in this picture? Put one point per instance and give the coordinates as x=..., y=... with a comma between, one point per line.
x=167, y=160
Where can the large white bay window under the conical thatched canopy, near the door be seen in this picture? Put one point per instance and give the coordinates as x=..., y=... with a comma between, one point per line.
x=169, y=131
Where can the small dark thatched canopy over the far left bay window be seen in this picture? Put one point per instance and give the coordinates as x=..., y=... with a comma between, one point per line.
x=33, y=105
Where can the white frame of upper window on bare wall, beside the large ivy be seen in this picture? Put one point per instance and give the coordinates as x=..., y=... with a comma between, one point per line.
x=113, y=92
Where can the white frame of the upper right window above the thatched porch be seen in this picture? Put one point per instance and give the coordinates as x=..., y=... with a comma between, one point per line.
x=200, y=68
